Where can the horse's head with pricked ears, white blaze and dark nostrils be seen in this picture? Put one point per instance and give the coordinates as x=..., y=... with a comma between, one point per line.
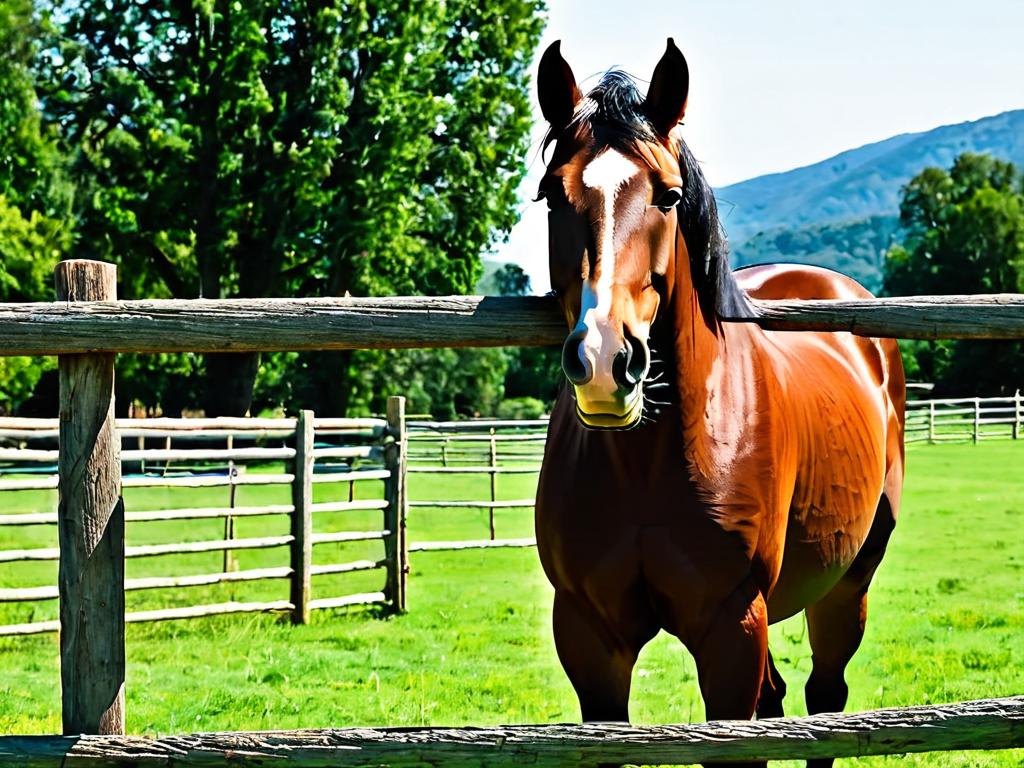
x=617, y=189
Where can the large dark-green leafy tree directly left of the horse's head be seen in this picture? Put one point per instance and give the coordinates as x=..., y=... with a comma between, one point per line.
x=276, y=149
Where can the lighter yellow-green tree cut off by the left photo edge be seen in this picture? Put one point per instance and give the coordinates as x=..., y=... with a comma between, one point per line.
x=34, y=194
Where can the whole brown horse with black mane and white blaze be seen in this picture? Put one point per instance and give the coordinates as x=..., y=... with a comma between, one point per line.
x=769, y=481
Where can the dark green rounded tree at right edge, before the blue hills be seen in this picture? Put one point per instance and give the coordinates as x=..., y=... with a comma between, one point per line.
x=964, y=233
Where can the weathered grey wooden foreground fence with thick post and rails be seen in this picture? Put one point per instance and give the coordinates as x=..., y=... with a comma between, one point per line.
x=88, y=327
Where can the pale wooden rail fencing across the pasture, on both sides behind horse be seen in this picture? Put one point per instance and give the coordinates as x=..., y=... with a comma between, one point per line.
x=489, y=447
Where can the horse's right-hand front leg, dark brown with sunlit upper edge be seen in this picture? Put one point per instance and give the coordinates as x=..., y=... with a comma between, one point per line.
x=733, y=657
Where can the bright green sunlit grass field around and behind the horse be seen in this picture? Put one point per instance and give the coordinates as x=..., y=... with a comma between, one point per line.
x=947, y=622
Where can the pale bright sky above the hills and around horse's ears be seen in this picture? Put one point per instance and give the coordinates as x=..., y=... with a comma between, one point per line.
x=780, y=84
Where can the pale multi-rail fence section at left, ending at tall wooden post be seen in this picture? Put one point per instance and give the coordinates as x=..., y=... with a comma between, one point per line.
x=374, y=454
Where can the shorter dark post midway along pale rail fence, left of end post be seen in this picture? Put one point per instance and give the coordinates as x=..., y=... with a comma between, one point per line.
x=303, y=519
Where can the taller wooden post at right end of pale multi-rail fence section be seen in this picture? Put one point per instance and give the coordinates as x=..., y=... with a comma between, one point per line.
x=396, y=544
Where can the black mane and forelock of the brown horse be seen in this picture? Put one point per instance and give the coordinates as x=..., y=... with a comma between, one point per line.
x=614, y=114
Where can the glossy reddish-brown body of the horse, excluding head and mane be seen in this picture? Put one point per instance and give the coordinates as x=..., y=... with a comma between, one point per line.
x=765, y=479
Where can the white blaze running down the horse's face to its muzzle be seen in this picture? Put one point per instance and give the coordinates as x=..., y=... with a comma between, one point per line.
x=607, y=175
